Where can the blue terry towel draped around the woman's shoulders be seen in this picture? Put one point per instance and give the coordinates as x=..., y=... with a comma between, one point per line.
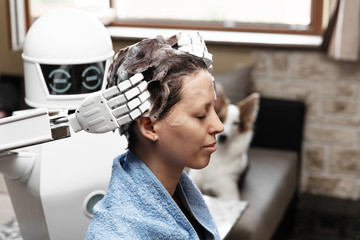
x=137, y=206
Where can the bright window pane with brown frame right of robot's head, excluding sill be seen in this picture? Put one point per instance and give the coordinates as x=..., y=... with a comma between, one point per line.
x=275, y=16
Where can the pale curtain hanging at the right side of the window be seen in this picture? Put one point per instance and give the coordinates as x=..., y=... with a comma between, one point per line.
x=341, y=39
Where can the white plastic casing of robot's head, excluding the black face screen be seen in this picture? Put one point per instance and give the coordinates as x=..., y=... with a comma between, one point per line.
x=63, y=37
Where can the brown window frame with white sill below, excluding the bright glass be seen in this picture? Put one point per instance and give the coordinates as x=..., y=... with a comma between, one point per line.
x=245, y=35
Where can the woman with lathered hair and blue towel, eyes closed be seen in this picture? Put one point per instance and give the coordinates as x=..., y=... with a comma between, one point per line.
x=149, y=195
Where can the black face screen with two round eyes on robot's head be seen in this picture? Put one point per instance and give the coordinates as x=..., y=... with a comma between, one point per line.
x=73, y=79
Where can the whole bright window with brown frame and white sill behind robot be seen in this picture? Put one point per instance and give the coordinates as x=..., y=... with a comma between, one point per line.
x=299, y=23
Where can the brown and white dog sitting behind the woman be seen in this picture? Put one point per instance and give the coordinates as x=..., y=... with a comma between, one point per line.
x=220, y=178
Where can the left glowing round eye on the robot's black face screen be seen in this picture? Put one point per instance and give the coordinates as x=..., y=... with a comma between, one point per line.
x=59, y=81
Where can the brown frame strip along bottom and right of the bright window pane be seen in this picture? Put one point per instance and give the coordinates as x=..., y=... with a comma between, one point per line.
x=314, y=29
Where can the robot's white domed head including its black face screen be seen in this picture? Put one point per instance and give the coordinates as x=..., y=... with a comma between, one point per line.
x=66, y=55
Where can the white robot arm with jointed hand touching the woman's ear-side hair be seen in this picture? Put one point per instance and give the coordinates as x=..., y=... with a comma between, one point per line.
x=100, y=112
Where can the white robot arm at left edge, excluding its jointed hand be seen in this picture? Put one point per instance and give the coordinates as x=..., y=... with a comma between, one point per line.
x=25, y=128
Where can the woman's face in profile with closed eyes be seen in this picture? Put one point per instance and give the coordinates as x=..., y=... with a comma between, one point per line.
x=186, y=136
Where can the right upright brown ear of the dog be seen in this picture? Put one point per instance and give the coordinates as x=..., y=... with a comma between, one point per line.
x=249, y=108
